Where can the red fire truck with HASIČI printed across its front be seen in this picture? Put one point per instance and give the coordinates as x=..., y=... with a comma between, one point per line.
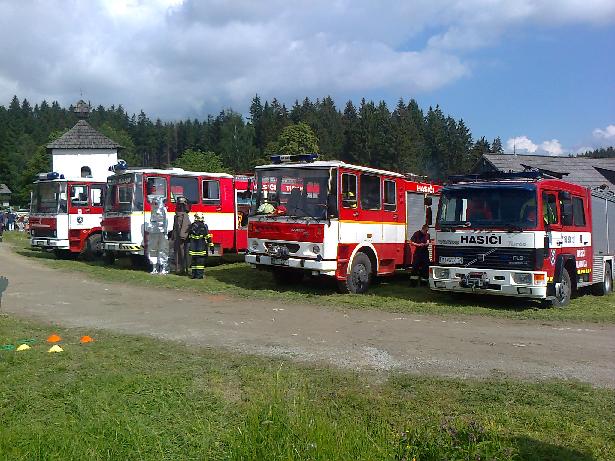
x=526, y=234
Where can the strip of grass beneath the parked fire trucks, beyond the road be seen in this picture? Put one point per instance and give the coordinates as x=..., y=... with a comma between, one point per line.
x=394, y=294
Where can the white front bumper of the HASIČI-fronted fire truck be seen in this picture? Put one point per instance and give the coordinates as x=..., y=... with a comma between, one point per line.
x=489, y=281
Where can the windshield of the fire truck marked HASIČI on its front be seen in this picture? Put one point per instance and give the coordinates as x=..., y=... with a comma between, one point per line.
x=505, y=207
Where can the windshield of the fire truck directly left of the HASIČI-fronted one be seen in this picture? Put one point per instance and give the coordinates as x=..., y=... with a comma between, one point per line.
x=297, y=192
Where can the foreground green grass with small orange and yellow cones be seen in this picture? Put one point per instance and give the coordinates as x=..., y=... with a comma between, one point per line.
x=124, y=397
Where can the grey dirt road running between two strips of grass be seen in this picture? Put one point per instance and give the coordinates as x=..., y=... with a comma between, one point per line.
x=461, y=347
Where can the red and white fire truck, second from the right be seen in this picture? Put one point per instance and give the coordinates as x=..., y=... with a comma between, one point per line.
x=331, y=218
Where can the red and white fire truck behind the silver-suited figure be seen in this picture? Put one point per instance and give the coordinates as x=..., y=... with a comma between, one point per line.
x=221, y=198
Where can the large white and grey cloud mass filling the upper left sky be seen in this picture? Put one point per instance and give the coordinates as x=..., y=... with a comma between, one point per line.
x=174, y=57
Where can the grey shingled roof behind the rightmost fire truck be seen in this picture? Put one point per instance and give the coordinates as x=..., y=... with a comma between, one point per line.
x=588, y=172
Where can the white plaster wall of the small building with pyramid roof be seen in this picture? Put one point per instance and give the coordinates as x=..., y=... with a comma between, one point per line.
x=69, y=162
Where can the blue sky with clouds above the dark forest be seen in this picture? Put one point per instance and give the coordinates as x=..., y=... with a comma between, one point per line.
x=538, y=74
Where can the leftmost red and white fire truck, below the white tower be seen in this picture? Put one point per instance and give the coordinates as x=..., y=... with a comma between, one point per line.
x=65, y=215
